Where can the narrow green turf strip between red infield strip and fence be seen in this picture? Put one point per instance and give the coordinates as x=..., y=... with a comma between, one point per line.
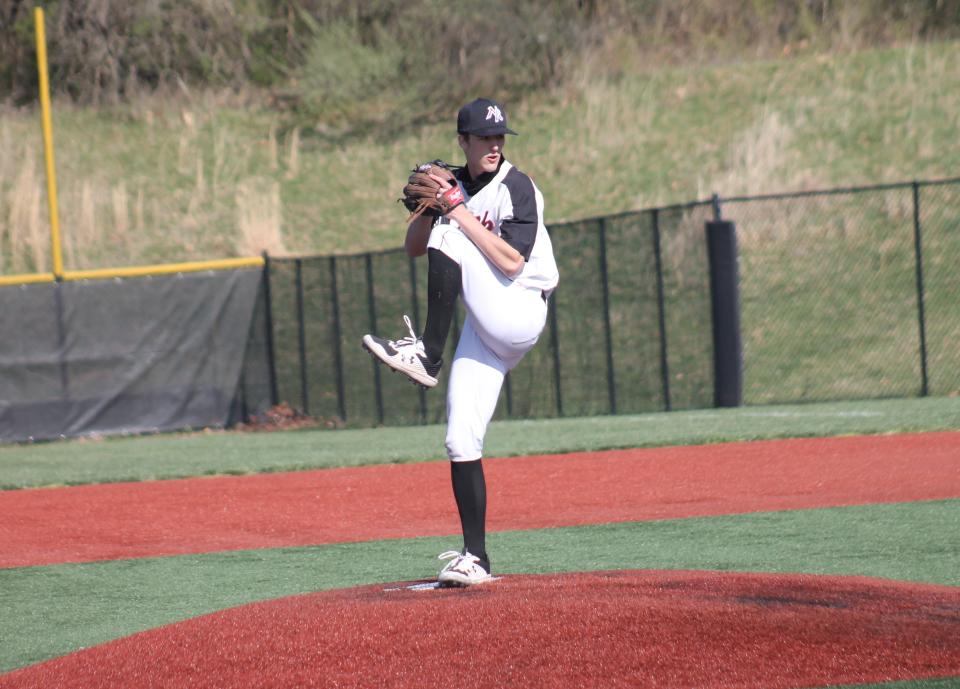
x=180, y=455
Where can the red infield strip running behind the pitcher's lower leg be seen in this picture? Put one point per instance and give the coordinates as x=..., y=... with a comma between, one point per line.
x=157, y=518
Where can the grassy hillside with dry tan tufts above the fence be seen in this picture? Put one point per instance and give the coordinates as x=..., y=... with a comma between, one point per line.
x=213, y=175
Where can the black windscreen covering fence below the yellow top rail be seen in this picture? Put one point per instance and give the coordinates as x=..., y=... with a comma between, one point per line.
x=125, y=355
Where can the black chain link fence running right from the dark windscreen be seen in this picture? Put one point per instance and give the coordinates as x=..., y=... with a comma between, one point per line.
x=844, y=294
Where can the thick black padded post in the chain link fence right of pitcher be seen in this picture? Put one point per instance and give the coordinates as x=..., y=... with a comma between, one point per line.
x=725, y=309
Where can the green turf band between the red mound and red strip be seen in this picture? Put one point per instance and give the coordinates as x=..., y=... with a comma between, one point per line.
x=50, y=611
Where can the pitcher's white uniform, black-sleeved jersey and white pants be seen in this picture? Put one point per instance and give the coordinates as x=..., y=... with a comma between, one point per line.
x=504, y=316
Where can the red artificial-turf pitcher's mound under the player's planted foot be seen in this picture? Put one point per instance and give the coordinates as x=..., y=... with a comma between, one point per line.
x=670, y=630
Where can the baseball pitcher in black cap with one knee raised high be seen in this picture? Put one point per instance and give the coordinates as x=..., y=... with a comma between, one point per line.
x=481, y=227
